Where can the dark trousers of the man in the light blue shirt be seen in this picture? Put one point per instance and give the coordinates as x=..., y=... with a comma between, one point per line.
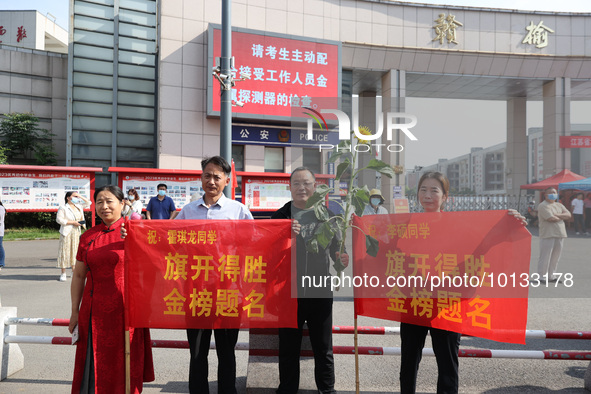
x=225, y=342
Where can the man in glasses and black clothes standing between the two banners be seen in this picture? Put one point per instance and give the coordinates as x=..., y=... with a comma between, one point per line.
x=314, y=303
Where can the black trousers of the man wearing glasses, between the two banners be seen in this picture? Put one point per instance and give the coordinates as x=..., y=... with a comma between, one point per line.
x=318, y=313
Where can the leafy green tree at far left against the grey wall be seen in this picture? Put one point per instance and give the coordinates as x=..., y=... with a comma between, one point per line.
x=24, y=139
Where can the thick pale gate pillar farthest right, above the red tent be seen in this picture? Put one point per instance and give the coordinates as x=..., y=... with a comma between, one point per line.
x=556, y=124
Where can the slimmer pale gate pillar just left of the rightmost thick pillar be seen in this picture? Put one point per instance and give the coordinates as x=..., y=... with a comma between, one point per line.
x=516, y=161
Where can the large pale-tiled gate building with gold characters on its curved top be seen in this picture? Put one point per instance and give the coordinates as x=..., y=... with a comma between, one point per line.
x=140, y=77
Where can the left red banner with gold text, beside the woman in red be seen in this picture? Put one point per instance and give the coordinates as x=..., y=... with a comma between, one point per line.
x=209, y=274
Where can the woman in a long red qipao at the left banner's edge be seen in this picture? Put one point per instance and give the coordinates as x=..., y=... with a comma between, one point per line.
x=97, y=308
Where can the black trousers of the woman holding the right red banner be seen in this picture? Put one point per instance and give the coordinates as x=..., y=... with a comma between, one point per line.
x=446, y=345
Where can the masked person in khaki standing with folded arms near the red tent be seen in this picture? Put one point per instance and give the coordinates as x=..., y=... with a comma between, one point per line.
x=552, y=216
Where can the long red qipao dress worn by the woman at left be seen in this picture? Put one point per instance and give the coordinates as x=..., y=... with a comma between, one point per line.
x=101, y=248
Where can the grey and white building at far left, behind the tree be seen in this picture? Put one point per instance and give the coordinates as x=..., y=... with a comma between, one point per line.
x=34, y=71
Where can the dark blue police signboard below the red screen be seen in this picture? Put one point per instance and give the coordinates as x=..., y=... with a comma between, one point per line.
x=256, y=135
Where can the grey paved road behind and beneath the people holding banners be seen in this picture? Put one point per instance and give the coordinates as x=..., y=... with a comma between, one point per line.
x=30, y=282
